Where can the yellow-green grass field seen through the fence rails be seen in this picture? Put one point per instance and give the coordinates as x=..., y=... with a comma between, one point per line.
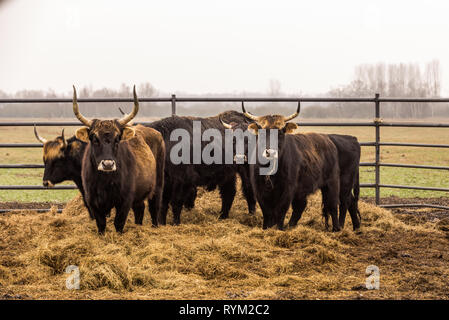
x=405, y=155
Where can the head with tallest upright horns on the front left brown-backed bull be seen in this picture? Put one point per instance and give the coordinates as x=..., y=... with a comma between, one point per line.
x=104, y=136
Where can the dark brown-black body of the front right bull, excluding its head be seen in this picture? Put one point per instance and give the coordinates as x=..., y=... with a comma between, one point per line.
x=306, y=163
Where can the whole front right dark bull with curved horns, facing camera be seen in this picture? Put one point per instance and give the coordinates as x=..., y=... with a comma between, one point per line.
x=304, y=163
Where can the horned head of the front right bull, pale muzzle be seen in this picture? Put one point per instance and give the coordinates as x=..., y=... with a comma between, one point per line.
x=272, y=122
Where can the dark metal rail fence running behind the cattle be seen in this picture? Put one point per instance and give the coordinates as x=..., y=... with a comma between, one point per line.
x=377, y=123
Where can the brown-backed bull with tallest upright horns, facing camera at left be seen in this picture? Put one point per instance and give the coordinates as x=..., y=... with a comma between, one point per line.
x=118, y=168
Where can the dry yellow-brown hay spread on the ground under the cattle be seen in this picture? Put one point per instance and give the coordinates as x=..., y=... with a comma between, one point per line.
x=206, y=258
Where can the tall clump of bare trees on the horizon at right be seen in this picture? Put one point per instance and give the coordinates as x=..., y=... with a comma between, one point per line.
x=391, y=80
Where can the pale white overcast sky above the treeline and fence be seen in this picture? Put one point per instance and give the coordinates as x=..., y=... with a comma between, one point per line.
x=207, y=46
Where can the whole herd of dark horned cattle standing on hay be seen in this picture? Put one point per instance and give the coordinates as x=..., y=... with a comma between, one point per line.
x=118, y=165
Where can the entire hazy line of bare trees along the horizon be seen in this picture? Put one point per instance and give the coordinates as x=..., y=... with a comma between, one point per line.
x=389, y=80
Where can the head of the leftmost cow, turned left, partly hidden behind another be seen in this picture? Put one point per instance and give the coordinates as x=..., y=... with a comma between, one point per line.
x=62, y=158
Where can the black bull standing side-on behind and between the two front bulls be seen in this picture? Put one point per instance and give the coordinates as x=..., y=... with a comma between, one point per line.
x=181, y=180
